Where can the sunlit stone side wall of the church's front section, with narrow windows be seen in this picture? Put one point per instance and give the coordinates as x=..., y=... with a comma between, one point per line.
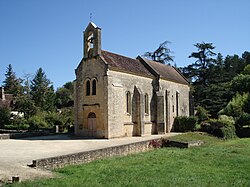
x=122, y=123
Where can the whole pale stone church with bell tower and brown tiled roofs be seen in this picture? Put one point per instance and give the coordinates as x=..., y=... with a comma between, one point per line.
x=117, y=96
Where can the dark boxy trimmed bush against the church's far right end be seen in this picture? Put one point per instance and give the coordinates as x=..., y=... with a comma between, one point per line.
x=184, y=124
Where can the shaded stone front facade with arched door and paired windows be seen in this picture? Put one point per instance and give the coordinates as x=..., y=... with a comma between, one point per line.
x=84, y=105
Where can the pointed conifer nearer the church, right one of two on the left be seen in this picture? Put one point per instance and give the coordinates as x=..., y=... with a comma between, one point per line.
x=42, y=91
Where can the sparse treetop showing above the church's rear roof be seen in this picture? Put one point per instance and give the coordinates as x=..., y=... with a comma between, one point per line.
x=162, y=54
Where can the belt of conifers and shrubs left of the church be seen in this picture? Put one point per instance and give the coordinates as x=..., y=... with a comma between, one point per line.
x=38, y=102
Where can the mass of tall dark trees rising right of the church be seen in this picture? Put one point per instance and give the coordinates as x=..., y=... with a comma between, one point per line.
x=216, y=80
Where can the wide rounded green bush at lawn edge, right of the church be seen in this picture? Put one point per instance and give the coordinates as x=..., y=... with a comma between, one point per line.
x=222, y=127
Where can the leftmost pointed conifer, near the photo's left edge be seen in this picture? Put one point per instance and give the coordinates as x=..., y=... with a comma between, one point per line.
x=12, y=84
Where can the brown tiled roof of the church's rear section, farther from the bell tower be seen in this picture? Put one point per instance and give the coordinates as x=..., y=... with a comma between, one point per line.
x=166, y=71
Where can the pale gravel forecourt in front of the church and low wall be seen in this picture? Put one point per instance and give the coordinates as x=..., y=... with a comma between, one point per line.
x=16, y=154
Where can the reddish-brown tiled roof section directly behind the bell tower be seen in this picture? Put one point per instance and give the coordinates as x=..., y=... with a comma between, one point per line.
x=125, y=64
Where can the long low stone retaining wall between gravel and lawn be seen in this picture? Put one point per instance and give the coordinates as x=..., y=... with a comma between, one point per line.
x=88, y=156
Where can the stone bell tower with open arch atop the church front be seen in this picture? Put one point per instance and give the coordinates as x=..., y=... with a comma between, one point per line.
x=92, y=41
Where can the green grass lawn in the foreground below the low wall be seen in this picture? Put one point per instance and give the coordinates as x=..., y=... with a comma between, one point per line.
x=217, y=163
